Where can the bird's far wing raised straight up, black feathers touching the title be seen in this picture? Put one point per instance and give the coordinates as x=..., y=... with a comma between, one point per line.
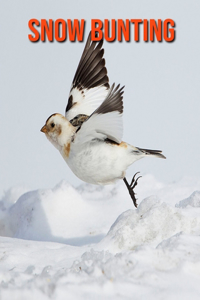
x=90, y=85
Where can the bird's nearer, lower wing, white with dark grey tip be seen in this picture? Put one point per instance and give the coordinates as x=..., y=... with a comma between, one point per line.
x=105, y=122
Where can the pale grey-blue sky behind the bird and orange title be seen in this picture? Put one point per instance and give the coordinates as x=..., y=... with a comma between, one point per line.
x=161, y=99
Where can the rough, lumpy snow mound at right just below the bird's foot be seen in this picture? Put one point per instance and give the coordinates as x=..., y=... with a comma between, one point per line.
x=150, y=224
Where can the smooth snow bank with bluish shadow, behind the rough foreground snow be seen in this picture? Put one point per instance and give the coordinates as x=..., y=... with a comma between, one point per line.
x=61, y=214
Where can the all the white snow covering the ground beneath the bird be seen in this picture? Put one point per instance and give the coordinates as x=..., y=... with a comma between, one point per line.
x=91, y=243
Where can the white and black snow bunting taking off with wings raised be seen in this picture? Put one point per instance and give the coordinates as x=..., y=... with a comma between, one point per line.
x=89, y=137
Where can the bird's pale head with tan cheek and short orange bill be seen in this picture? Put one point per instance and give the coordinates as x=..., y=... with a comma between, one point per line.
x=58, y=130
